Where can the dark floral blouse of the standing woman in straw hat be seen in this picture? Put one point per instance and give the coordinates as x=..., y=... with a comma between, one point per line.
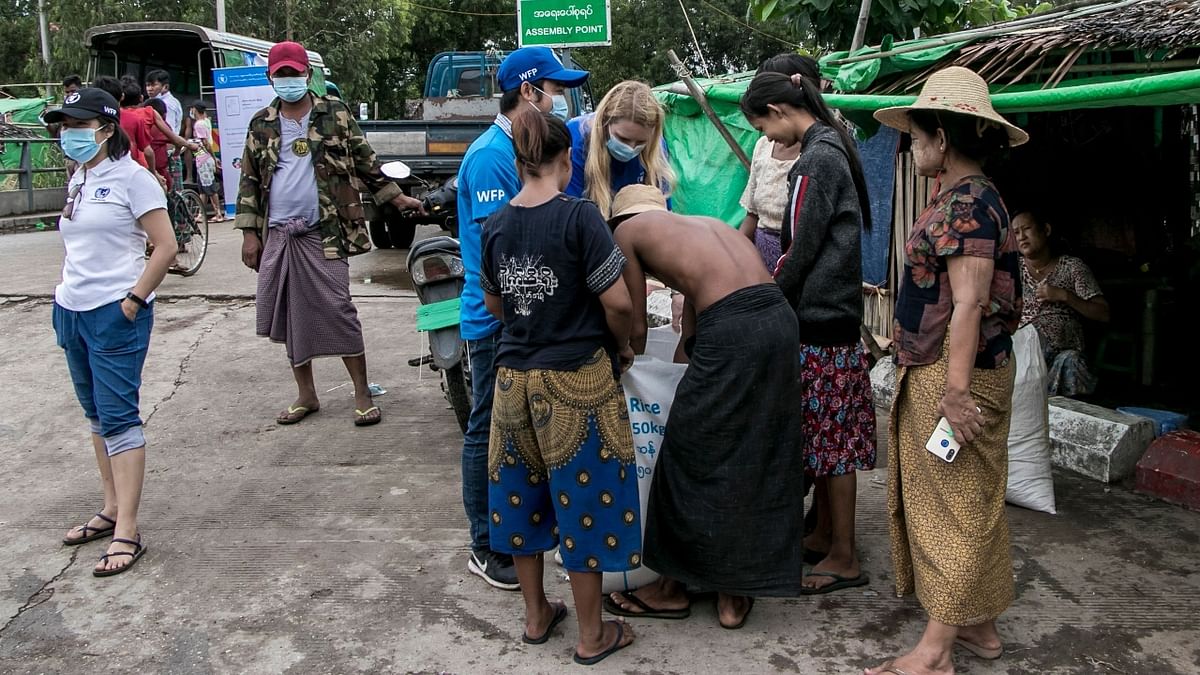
x=968, y=219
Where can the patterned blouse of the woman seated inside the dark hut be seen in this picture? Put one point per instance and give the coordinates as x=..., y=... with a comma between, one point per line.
x=1059, y=326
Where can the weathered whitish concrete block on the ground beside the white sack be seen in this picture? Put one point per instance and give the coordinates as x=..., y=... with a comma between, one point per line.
x=1095, y=441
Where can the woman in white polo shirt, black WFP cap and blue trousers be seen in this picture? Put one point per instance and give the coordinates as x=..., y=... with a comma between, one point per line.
x=104, y=308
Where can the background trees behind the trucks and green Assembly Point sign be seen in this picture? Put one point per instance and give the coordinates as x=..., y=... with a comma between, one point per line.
x=379, y=50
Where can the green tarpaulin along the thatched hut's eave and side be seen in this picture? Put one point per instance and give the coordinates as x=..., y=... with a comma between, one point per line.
x=712, y=180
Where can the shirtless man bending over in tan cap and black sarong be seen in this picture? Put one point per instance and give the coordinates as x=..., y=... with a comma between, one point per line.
x=724, y=512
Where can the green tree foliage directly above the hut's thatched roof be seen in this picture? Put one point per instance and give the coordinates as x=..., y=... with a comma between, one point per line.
x=830, y=25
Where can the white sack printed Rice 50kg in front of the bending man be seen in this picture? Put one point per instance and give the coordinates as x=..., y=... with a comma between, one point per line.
x=650, y=389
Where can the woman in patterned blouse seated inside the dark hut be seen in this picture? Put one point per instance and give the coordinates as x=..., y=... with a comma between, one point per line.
x=1060, y=292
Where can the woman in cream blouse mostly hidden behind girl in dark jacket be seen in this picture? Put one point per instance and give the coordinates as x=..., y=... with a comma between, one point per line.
x=766, y=195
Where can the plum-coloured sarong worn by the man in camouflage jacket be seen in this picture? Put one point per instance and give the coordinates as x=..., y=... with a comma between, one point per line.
x=304, y=300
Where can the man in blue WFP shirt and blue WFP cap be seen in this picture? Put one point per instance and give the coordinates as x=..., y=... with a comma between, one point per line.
x=488, y=180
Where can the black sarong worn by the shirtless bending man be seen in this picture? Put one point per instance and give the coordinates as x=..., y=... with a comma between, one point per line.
x=727, y=505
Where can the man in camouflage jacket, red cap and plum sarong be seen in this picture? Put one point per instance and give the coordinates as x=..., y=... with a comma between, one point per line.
x=303, y=171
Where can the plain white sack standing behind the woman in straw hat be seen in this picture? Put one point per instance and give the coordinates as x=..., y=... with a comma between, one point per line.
x=1030, y=479
